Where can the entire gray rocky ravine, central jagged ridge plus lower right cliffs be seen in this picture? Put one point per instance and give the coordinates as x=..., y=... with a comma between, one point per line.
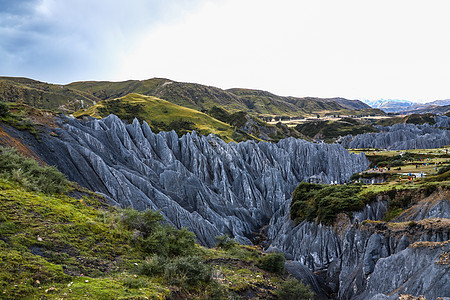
x=216, y=188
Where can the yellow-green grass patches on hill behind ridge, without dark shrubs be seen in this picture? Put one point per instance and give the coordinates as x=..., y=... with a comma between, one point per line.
x=156, y=111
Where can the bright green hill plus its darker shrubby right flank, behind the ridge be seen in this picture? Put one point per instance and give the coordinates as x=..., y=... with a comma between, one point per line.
x=162, y=115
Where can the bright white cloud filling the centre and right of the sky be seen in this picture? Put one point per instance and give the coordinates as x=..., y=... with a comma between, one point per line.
x=355, y=49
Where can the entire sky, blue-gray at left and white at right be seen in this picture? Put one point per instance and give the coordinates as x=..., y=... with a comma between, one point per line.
x=356, y=49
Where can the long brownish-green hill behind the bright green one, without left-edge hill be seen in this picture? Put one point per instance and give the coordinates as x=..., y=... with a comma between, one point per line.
x=202, y=97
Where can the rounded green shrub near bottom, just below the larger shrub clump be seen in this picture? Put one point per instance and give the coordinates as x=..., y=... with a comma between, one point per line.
x=188, y=271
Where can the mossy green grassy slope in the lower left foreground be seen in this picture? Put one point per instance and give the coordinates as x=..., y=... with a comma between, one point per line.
x=57, y=247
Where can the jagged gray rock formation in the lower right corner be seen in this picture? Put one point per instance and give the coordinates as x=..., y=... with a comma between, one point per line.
x=358, y=257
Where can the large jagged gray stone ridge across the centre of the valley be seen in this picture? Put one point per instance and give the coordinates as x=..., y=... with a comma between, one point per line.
x=198, y=182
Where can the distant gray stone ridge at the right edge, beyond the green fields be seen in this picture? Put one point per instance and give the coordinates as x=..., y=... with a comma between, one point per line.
x=402, y=137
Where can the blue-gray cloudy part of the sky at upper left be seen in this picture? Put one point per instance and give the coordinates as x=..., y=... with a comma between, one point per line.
x=62, y=41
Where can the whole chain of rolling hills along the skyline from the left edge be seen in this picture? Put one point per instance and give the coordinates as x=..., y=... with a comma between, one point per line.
x=71, y=97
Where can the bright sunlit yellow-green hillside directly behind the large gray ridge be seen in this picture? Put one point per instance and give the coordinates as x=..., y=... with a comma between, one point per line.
x=160, y=114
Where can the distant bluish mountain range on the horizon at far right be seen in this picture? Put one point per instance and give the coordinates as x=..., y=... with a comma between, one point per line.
x=409, y=107
